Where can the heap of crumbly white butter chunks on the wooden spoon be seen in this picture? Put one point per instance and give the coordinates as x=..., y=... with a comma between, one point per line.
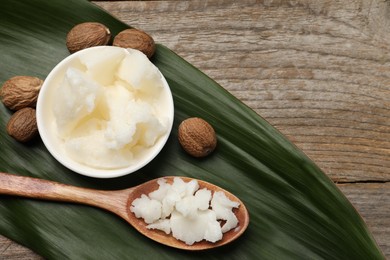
x=188, y=213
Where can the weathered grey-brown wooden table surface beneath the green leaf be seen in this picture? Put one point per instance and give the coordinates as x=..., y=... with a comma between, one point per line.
x=319, y=71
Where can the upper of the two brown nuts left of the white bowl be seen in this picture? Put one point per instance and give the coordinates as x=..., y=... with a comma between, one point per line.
x=20, y=92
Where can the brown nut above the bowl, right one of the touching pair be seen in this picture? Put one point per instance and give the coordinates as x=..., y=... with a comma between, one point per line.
x=135, y=39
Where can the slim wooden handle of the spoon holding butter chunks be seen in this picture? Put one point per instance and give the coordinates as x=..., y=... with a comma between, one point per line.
x=29, y=187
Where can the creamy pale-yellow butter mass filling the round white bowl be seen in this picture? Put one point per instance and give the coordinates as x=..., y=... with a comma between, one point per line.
x=107, y=108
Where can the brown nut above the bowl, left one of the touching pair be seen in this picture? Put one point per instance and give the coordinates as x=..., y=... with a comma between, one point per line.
x=85, y=35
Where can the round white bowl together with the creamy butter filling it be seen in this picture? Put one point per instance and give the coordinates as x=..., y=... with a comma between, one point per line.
x=105, y=111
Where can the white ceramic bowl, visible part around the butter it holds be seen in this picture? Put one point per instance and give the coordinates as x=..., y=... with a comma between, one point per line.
x=54, y=144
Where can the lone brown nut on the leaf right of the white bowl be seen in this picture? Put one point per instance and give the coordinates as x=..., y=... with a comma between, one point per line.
x=197, y=137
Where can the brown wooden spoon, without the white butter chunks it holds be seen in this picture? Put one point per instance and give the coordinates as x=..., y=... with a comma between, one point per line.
x=118, y=202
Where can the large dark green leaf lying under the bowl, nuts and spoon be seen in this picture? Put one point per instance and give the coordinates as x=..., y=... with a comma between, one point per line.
x=296, y=211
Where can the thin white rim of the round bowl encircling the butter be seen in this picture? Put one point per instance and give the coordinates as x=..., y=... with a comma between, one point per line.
x=47, y=136
